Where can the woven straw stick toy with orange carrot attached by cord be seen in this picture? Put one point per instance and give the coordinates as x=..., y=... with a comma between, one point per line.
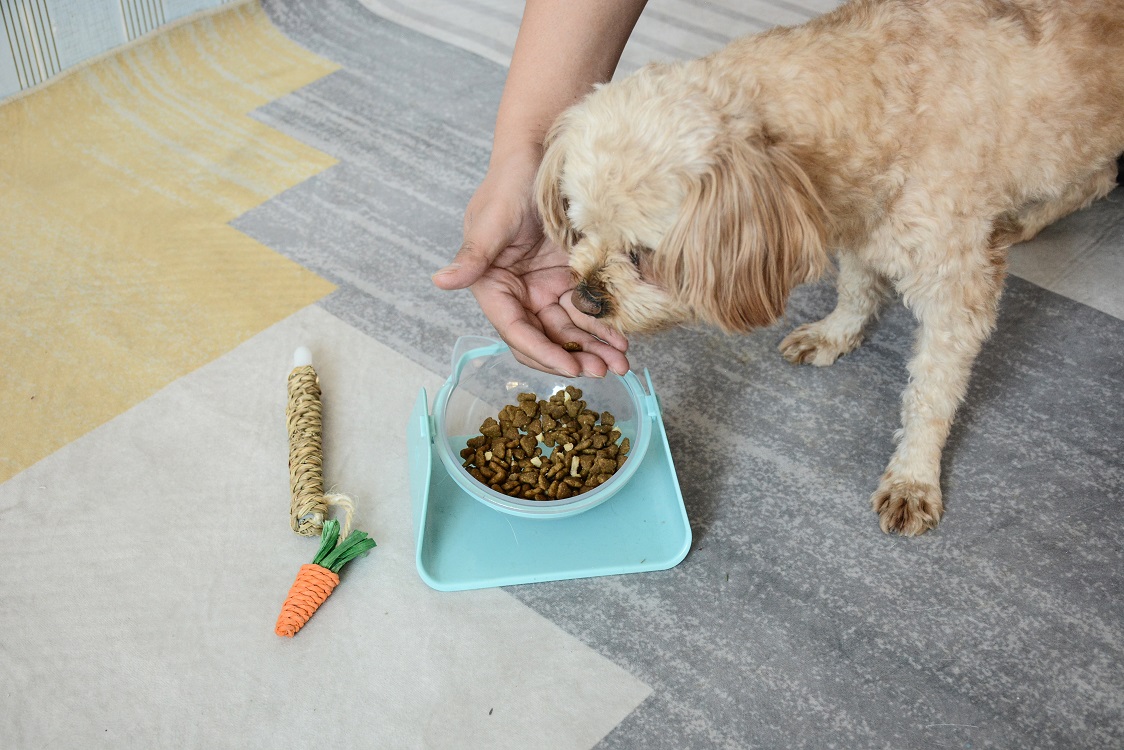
x=309, y=508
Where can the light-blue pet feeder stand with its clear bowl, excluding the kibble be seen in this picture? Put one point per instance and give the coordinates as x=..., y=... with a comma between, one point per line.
x=472, y=537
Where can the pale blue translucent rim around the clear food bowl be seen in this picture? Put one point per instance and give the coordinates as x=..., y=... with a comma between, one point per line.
x=540, y=509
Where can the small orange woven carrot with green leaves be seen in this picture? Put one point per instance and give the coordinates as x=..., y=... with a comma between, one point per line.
x=316, y=581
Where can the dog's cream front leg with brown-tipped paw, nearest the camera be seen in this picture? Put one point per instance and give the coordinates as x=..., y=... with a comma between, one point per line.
x=956, y=303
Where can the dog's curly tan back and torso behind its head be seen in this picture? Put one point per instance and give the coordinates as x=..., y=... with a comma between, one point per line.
x=1029, y=95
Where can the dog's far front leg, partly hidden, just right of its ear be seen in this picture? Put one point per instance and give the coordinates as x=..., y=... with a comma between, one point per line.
x=862, y=292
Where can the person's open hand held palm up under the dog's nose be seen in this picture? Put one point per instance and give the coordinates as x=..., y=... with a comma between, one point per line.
x=523, y=282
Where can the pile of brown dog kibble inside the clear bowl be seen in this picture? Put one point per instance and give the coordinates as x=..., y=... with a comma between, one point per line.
x=585, y=451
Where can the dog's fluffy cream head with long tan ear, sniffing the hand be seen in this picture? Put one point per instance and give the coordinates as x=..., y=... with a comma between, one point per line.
x=677, y=206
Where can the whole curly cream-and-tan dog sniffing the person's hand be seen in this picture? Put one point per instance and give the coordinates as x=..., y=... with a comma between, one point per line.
x=914, y=140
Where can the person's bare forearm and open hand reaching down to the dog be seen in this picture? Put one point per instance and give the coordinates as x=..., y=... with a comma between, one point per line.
x=522, y=281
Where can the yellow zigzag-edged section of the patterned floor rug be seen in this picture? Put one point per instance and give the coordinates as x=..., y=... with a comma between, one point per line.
x=121, y=274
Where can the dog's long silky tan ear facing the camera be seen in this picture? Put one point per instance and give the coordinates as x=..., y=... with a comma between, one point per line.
x=750, y=230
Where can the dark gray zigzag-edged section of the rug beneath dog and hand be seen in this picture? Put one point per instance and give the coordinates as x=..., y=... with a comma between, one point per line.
x=794, y=622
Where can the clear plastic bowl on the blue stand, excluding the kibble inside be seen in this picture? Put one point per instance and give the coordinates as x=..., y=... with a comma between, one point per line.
x=486, y=377
